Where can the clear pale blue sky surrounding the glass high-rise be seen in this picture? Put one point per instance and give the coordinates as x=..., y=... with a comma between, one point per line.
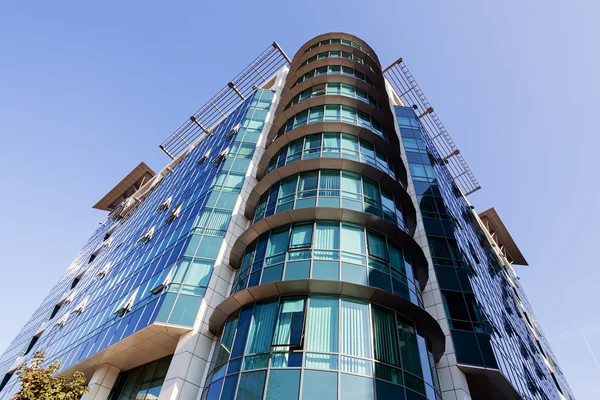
x=89, y=90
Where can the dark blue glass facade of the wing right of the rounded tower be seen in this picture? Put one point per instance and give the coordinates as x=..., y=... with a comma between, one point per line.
x=488, y=326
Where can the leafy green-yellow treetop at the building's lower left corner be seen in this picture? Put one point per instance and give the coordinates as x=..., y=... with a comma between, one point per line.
x=42, y=383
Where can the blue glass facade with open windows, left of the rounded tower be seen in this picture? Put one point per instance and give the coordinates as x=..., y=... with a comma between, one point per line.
x=172, y=235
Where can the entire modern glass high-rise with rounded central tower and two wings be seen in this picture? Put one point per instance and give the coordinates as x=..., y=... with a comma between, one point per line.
x=310, y=239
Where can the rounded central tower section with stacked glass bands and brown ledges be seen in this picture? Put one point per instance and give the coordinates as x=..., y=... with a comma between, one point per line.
x=326, y=299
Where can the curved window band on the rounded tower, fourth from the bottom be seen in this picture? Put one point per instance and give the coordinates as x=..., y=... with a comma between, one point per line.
x=333, y=145
